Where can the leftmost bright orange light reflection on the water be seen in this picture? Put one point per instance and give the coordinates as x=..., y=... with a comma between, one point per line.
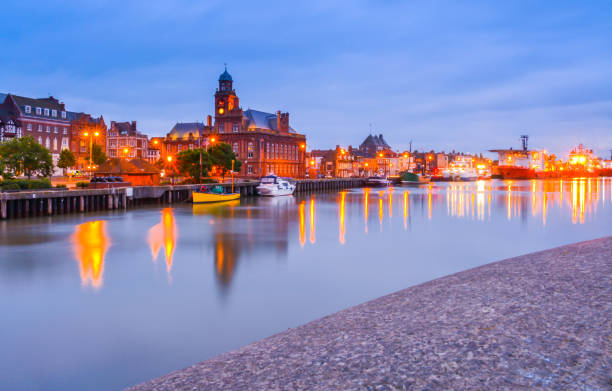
x=90, y=243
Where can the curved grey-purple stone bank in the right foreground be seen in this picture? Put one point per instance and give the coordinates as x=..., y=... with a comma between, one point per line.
x=539, y=320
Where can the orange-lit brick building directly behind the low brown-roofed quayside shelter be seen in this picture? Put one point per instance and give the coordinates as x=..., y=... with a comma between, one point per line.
x=125, y=141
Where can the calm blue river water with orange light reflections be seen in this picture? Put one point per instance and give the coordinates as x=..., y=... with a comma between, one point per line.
x=100, y=302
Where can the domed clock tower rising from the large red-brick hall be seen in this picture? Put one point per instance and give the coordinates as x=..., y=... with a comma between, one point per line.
x=228, y=114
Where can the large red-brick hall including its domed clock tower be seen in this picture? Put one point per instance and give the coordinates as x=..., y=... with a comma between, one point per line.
x=264, y=142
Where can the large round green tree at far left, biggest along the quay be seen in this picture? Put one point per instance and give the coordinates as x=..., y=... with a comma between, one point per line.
x=25, y=156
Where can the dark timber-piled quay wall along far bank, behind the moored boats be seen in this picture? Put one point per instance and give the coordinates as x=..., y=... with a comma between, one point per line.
x=51, y=202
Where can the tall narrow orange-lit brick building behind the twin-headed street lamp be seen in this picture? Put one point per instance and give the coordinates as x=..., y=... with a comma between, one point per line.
x=86, y=130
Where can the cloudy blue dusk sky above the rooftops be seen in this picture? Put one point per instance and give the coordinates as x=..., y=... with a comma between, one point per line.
x=447, y=75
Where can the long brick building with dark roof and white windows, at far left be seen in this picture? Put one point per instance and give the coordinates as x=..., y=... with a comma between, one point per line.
x=44, y=119
